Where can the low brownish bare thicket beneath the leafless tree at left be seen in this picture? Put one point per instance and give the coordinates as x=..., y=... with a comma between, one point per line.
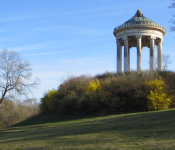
x=12, y=112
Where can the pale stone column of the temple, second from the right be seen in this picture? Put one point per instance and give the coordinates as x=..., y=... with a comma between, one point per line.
x=152, y=55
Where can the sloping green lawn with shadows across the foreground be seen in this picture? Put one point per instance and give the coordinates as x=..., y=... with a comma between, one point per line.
x=136, y=131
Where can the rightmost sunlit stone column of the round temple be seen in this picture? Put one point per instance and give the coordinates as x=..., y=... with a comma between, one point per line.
x=159, y=56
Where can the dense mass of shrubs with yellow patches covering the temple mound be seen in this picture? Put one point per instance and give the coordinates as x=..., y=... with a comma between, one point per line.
x=122, y=92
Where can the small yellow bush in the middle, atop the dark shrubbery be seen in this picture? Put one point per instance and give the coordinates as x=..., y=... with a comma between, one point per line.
x=94, y=86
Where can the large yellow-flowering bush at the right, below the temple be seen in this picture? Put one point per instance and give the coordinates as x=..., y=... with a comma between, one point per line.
x=158, y=98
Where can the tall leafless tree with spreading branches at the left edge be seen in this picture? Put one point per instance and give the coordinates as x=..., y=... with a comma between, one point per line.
x=15, y=75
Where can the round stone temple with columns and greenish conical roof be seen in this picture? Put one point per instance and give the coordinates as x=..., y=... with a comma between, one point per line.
x=139, y=32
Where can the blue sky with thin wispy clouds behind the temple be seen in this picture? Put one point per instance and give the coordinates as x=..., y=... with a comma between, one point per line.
x=74, y=37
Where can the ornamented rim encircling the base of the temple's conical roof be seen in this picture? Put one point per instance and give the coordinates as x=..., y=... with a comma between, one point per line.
x=141, y=23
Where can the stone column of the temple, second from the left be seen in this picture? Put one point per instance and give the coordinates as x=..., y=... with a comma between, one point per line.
x=125, y=54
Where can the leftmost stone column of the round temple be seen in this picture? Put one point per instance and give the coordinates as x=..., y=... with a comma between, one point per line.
x=119, y=56
